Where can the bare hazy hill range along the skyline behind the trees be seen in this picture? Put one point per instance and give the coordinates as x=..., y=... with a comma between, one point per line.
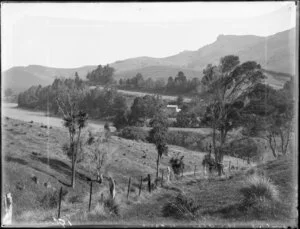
x=275, y=53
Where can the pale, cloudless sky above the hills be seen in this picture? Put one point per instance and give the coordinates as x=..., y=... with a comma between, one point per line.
x=68, y=35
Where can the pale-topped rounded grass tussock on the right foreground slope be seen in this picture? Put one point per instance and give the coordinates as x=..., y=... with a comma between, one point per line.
x=258, y=189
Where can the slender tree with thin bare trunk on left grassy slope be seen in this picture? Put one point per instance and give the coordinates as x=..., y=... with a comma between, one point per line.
x=75, y=120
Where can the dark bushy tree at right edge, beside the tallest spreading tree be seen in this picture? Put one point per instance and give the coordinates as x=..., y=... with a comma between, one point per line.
x=272, y=115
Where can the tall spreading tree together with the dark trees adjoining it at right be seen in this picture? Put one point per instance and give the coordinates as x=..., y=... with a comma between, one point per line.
x=236, y=97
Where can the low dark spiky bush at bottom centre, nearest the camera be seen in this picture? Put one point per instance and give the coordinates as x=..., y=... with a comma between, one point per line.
x=182, y=207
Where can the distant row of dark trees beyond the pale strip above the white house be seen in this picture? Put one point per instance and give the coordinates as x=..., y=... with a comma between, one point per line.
x=177, y=85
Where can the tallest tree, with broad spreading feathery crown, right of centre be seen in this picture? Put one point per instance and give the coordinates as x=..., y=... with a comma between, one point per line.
x=226, y=87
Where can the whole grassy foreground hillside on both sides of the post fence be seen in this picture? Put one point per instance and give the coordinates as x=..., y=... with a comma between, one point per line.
x=29, y=150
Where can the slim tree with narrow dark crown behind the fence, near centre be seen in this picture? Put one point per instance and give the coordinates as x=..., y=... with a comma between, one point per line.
x=158, y=135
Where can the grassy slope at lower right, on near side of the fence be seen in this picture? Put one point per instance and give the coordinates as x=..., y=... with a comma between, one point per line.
x=220, y=199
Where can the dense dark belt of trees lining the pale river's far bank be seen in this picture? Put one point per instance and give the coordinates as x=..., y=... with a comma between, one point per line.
x=97, y=103
